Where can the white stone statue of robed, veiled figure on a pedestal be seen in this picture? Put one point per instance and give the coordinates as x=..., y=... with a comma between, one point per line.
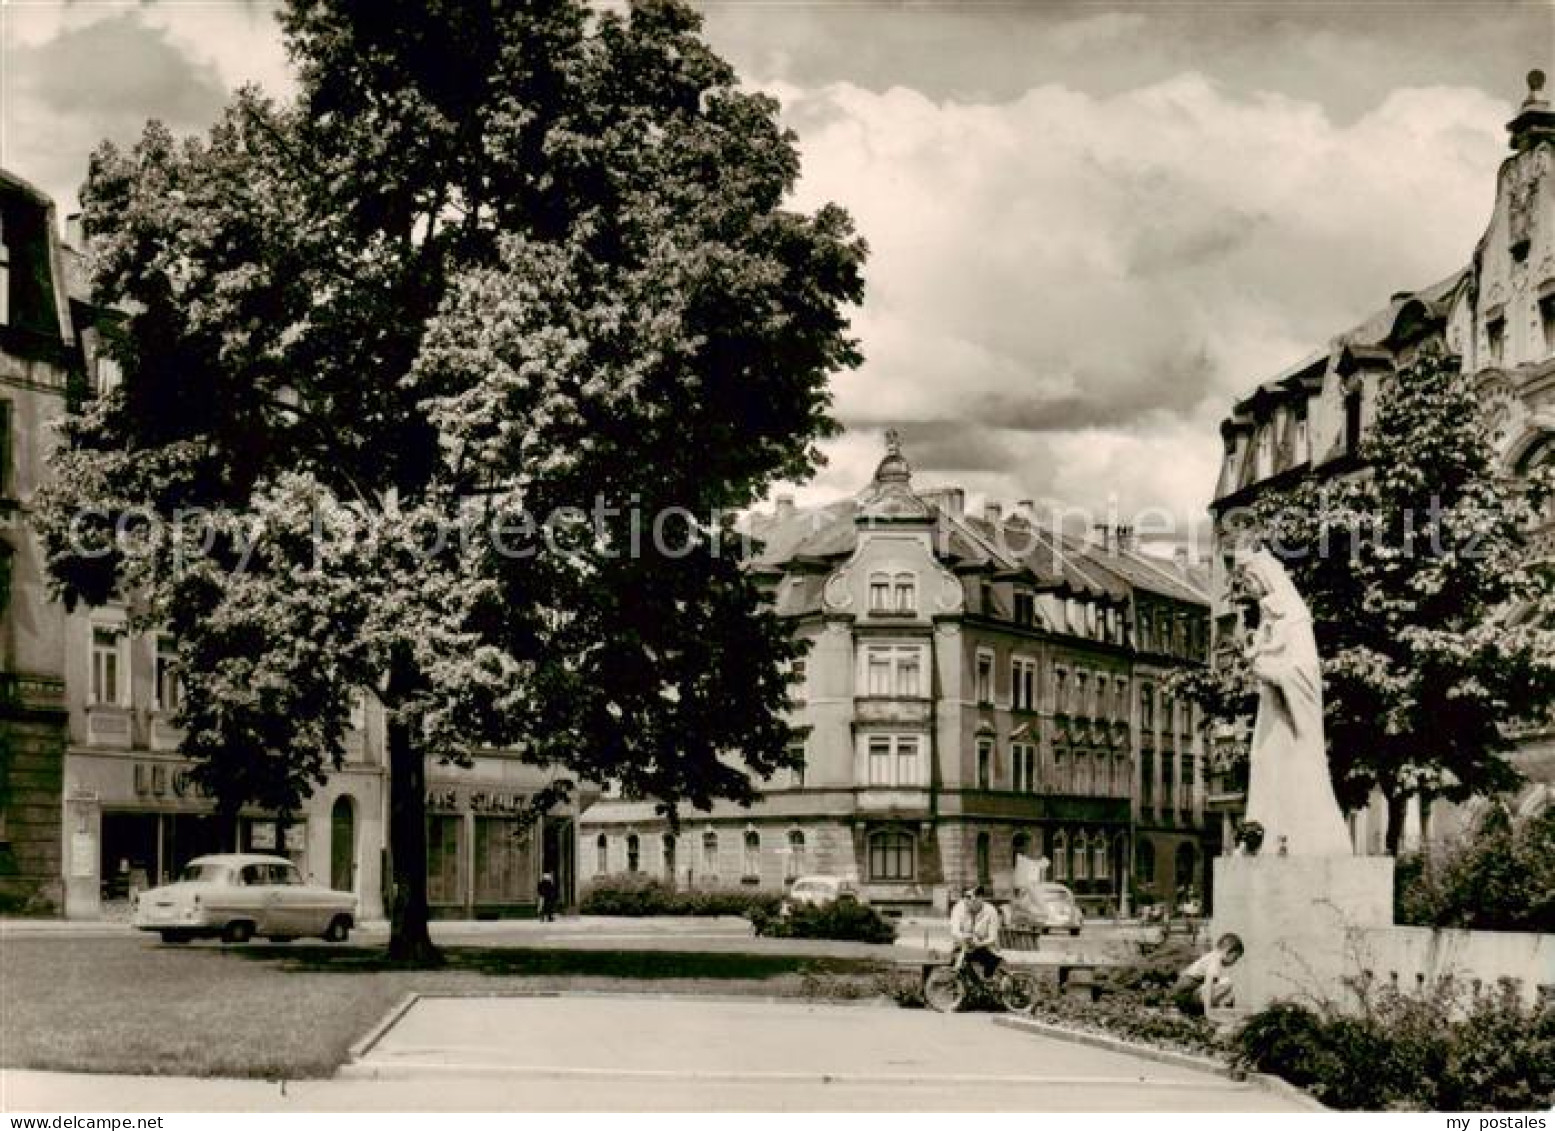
x=1290, y=791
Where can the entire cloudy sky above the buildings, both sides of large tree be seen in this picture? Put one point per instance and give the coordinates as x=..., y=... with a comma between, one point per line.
x=1092, y=226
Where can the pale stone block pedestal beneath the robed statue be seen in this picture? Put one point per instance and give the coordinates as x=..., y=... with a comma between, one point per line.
x=1296, y=917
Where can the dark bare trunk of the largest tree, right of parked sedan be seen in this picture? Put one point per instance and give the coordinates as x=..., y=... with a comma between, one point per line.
x=410, y=940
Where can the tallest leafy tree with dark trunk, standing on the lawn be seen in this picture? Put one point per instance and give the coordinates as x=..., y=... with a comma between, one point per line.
x=438, y=380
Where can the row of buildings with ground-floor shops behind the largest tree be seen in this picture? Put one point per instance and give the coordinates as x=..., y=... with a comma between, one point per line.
x=96, y=800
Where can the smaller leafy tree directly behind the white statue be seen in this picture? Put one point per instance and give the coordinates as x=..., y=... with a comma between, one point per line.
x=1431, y=615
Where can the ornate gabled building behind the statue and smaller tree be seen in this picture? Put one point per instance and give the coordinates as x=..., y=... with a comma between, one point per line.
x=1497, y=315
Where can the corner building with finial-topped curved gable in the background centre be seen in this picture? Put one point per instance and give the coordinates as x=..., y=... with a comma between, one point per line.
x=970, y=695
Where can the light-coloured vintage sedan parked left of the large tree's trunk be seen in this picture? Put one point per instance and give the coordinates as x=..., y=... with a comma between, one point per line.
x=242, y=895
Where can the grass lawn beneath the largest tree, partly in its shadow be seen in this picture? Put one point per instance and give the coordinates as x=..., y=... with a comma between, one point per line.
x=131, y=1004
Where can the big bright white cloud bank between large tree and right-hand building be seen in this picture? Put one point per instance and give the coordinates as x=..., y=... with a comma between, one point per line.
x=1086, y=282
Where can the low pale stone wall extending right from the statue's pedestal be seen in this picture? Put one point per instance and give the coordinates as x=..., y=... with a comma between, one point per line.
x=1419, y=958
